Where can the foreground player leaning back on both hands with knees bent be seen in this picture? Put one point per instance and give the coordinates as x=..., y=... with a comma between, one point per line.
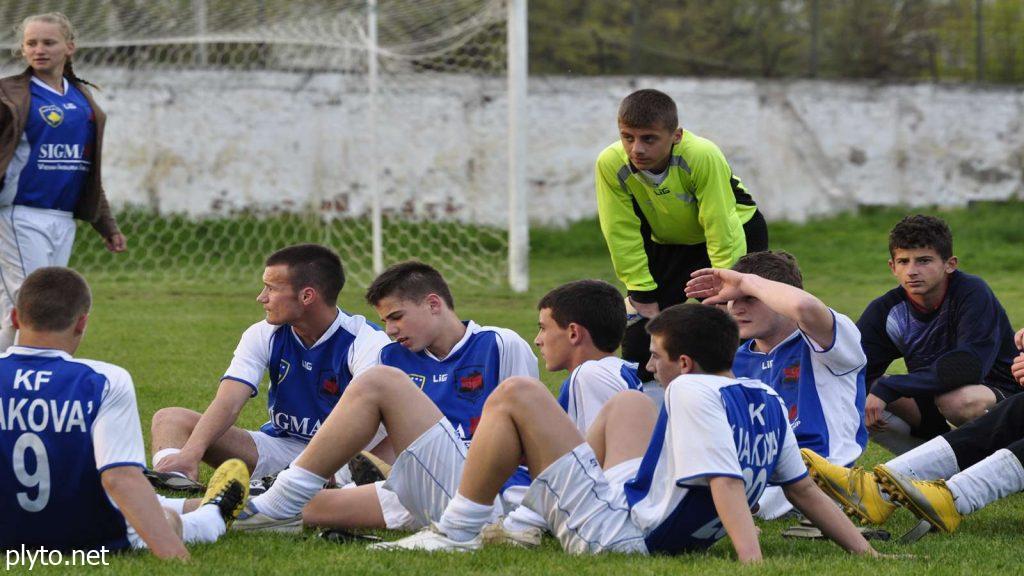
x=644, y=482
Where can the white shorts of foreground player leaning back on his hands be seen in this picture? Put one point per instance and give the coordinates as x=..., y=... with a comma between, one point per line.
x=585, y=507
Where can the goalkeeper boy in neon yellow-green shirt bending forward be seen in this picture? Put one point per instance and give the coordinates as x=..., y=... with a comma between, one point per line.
x=669, y=204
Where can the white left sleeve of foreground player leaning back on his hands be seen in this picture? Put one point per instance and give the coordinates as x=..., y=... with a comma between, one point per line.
x=701, y=439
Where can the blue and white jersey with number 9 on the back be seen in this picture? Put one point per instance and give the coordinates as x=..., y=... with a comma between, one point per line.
x=63, y=423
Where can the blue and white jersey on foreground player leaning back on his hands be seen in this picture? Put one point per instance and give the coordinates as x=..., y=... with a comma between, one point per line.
x=709, y=427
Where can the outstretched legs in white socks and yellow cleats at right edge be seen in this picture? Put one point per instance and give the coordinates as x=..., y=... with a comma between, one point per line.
x=946, y=479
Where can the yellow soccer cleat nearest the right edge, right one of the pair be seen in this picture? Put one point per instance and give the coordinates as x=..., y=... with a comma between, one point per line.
x=929, y=501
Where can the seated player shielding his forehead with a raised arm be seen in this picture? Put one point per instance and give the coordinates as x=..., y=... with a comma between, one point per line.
x=806, y=352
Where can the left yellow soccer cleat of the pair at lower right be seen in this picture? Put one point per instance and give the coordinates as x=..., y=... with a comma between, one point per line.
x=856, y=489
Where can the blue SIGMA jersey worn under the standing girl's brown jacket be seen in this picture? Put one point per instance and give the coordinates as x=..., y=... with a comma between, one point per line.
x=55, y=157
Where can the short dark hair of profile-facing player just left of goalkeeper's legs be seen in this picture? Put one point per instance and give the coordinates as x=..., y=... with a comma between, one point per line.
x=595, y=305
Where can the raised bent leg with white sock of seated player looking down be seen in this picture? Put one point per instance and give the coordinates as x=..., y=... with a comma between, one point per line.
x=381, y=395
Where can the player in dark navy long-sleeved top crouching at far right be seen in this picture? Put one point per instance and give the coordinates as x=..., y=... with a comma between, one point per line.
x=950, y=330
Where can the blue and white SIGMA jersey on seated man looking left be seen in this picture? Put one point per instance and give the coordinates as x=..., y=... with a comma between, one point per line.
x=306, y=383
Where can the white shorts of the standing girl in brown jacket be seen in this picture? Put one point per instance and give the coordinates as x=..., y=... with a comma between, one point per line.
x=30, y=239
